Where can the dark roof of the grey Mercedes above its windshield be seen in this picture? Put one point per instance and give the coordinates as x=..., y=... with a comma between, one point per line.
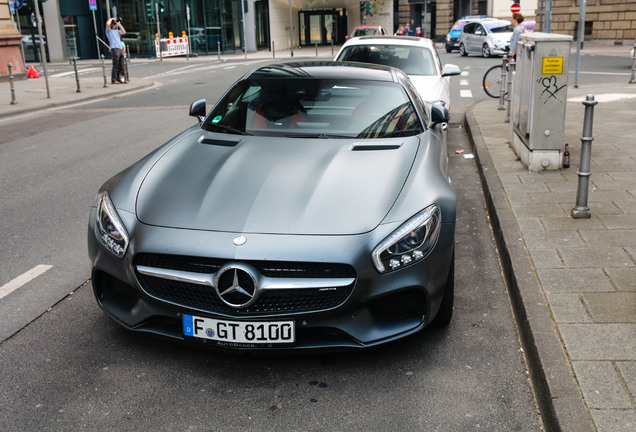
x=329, y=70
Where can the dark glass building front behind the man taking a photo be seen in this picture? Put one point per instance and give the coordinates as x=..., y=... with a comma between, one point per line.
x=212, y=24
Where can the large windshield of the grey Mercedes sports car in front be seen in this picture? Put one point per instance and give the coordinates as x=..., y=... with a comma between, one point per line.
x=315, y=108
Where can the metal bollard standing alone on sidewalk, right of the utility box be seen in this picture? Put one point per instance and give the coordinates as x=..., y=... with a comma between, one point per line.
x=581, y=210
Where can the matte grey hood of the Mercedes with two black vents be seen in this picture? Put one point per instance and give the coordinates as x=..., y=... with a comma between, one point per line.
x=275, y=185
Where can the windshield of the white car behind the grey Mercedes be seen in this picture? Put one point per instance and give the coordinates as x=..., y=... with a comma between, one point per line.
x=413, y=60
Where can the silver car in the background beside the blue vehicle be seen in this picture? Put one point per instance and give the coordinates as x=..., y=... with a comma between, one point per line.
x=486, y=38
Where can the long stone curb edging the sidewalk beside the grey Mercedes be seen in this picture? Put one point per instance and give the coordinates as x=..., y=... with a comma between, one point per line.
x=558, y=396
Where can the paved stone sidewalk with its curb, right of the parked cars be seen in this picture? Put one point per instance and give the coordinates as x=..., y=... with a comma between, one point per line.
x=572, y=281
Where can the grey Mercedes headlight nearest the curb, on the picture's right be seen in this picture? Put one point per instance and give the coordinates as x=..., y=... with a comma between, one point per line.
x=410, y=243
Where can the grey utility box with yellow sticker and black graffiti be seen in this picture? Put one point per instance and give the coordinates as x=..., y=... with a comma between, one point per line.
x=539, y=96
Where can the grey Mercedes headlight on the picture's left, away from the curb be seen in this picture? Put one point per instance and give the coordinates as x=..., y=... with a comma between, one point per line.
x=109, y=229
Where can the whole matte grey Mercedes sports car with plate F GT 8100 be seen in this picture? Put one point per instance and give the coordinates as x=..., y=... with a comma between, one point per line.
x=310, y=208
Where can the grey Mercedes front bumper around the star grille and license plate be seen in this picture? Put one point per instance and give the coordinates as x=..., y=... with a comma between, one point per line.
x=373, y=310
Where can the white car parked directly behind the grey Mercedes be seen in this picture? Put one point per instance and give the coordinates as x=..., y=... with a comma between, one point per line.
x=416, y=56
